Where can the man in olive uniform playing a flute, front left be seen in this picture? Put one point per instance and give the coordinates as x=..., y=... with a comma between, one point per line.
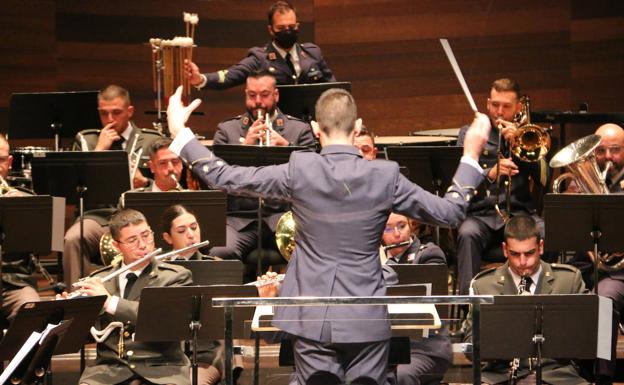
x=133, y=362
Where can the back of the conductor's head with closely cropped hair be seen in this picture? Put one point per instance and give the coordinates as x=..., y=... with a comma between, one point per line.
x=336, y=111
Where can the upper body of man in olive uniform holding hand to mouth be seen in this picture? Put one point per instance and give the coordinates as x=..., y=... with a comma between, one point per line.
x=118, y=131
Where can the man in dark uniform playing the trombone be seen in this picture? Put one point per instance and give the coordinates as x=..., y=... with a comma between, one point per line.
x=484, y=226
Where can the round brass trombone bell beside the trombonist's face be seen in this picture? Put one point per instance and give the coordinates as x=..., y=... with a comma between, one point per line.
x=532, y=142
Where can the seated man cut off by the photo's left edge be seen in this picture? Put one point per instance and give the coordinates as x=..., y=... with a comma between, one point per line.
x=15, y=285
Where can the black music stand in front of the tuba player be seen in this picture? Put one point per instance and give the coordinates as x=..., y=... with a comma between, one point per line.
x=591, y=222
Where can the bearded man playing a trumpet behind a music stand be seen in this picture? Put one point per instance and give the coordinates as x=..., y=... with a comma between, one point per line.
x=247, y=129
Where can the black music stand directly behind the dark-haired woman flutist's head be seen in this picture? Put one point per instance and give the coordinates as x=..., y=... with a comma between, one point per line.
x=209, y=206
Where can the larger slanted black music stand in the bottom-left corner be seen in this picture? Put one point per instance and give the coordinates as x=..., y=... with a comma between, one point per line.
x=35, y=316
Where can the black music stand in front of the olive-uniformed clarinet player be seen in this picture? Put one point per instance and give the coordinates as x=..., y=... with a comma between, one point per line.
x=542, y=326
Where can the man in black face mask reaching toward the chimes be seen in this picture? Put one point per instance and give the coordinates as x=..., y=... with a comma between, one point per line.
x=289, y=61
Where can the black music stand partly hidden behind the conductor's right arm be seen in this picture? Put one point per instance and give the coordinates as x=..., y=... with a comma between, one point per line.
x=430, y=167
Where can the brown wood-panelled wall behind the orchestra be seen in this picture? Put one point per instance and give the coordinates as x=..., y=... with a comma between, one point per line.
x=561, y=52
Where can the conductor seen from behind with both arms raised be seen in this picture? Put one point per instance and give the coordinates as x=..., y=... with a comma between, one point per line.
x=340, y=203
